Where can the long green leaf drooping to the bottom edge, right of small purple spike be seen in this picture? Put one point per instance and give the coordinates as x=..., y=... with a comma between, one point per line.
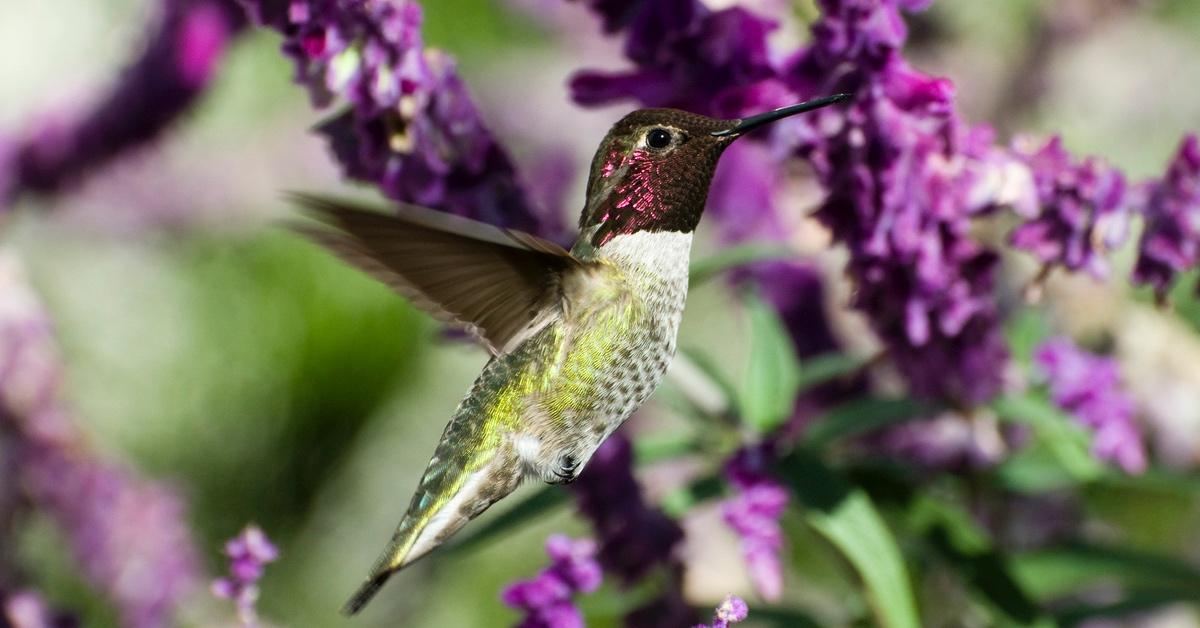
x=848, y=518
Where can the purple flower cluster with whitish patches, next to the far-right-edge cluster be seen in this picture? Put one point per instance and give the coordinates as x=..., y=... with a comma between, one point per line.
x=1083, y=210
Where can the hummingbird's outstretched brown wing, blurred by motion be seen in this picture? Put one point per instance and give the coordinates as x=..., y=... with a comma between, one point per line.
x=490, y=280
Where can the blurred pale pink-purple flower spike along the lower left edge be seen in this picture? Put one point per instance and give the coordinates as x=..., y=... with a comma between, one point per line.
x=128, y=535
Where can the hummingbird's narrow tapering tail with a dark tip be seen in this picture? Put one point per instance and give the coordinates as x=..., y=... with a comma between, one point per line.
x=448, y=498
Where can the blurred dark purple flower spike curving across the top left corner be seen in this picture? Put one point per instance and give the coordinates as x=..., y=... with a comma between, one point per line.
x=179, y=61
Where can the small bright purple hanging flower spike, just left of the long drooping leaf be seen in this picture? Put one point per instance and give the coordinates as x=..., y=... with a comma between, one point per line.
x=754, y=515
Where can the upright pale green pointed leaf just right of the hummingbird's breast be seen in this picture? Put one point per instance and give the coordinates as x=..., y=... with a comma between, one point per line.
x=773, y=374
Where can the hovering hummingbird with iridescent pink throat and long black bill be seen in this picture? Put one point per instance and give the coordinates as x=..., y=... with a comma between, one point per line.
x=579, y=339
